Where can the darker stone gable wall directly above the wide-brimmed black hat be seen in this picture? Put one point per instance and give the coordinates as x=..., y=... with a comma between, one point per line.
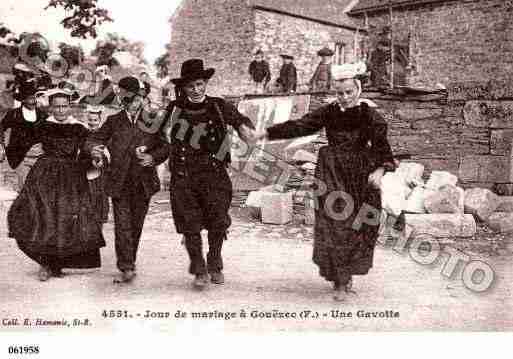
x=222, y=33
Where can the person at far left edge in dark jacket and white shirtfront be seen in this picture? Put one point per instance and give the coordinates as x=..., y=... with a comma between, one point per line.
x=22, y=151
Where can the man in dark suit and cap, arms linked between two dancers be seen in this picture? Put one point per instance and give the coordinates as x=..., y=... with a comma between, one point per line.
x=132, y=178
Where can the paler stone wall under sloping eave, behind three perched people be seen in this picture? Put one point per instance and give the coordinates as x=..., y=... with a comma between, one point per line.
x=277, y=34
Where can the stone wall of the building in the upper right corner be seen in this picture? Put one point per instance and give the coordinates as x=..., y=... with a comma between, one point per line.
x=456, y=41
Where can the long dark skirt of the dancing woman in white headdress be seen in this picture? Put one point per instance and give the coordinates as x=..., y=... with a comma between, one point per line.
x=341, y=247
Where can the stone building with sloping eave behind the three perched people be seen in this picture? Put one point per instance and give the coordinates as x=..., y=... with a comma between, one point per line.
x=226, y=33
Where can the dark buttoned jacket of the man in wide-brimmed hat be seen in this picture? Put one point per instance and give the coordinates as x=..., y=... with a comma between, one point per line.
x=215, y=114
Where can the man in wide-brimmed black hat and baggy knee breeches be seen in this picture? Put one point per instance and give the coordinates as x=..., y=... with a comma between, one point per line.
x=201, y=190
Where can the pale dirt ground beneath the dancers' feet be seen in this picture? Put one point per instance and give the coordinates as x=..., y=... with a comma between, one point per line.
x=268, y=272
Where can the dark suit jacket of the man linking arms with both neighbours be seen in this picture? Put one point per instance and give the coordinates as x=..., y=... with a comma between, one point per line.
x=121, y=137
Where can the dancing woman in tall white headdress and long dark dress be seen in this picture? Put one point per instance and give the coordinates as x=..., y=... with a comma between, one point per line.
x=348, y=175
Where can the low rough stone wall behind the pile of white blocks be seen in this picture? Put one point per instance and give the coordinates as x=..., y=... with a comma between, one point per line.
x=457, y=132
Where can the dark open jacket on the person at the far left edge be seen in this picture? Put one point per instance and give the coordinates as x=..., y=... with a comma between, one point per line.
x=22, y=136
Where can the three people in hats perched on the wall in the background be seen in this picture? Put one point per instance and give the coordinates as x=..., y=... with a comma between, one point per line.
x=287, y=80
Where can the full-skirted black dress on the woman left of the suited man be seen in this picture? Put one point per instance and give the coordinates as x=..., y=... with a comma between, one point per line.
x=53, y=219
